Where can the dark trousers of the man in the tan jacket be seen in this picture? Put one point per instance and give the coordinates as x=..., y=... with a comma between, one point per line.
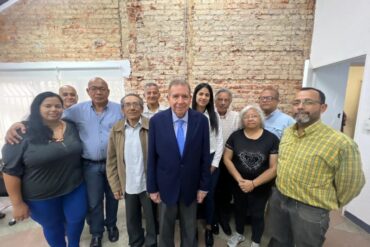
x=134, y=204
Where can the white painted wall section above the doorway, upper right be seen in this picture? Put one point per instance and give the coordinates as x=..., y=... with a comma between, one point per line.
x=341, y=31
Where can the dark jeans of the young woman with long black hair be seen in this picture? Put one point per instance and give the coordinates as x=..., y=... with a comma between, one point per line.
x=209, y=201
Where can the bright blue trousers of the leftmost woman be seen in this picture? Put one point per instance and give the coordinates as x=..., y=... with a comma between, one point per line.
x=60, y=216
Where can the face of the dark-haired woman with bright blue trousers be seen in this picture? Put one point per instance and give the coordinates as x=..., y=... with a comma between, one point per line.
x=51, y=109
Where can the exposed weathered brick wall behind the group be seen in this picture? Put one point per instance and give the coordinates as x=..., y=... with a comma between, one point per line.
x=241, y=44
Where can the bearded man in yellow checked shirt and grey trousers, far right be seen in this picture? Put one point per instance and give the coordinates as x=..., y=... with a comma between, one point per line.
x=319, y=170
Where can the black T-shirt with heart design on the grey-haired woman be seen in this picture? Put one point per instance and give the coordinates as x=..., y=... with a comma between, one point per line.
x=251, y=157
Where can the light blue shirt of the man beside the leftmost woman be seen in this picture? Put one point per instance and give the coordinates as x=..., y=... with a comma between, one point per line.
x=93, y=127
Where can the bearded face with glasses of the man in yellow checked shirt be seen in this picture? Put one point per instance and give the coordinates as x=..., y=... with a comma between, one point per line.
x=307, y=108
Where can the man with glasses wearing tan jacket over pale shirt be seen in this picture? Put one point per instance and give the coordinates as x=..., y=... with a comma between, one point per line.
x=126, y=170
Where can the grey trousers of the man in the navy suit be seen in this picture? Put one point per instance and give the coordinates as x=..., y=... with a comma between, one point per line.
x=188, y=224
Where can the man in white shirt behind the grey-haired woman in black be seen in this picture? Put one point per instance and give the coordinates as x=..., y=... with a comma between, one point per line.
x=230, y=122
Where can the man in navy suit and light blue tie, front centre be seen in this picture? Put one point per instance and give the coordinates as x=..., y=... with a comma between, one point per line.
x=178, y=164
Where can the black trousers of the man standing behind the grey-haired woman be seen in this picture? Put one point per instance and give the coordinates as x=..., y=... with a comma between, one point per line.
x=223, y=195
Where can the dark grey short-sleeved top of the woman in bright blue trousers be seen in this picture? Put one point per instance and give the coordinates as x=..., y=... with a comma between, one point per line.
x=46, y=170
